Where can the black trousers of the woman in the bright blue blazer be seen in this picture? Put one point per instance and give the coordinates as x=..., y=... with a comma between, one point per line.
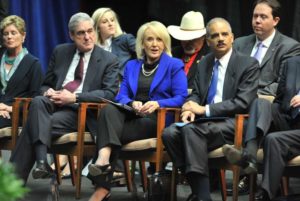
x=117, y=127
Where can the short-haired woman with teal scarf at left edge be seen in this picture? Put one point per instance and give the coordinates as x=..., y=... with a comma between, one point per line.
x=20, y=72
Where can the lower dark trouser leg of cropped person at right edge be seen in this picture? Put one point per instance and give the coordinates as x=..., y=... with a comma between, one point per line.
x=279, y=147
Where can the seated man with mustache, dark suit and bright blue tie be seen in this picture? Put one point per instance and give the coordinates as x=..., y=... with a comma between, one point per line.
x=225, y=84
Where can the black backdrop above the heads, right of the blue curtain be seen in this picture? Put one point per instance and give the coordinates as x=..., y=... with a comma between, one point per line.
x=133, y=13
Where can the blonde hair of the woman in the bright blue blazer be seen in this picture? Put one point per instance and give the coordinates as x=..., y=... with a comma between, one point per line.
x=159, y=30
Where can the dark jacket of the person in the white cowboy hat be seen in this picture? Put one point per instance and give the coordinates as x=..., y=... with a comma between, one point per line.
x=178, y=53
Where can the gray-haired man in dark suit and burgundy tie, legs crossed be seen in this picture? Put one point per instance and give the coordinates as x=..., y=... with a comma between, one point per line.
x=79, y=72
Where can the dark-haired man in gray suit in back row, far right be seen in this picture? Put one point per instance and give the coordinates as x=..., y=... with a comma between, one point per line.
x=275, y=47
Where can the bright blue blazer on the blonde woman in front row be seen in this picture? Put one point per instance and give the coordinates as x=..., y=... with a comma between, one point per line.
x=169, y=85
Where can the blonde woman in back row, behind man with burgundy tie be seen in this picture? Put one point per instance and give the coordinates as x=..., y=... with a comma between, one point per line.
x=111, y=37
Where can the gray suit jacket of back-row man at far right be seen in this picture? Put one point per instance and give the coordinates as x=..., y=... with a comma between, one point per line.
x=281, y=48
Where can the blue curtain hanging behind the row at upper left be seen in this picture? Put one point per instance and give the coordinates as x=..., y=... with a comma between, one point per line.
x=46, y=24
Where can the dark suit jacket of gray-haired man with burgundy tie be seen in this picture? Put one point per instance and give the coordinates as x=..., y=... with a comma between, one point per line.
x=101, y=79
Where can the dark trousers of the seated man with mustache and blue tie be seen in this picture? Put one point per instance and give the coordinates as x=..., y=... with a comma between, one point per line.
x=188, y=146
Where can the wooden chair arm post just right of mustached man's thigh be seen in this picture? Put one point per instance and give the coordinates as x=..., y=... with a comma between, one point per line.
x=239, y=129
